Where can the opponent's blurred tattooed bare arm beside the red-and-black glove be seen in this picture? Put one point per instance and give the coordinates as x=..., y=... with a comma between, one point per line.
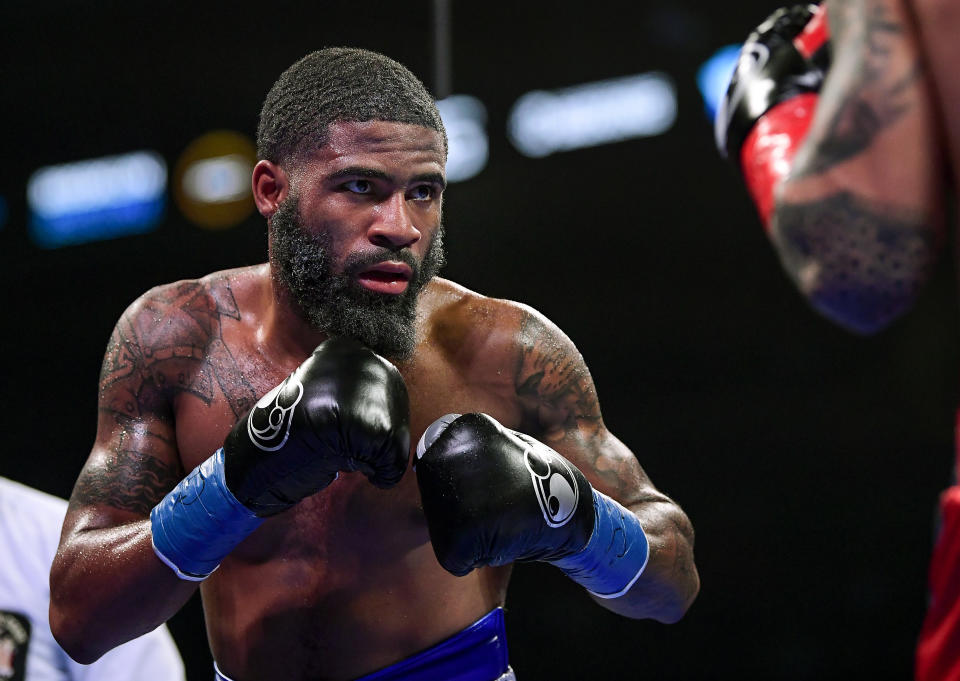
x=858, y=221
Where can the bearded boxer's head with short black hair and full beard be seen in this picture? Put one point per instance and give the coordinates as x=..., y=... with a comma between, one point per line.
x=359, y=144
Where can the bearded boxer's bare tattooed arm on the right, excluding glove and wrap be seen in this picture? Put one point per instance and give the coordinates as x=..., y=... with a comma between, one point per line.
x=560, y=407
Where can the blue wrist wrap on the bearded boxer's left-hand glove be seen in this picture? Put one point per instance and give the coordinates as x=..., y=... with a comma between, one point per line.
x=200, y=521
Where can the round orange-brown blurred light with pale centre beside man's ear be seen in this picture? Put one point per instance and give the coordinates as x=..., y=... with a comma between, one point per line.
x=212, y=179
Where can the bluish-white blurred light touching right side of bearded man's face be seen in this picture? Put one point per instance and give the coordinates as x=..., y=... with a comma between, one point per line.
x=465, y=119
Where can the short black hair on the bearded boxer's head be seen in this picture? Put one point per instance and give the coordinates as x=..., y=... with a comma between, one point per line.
x=339, y=84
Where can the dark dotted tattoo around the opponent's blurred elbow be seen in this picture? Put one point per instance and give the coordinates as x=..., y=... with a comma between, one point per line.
x=860, y=262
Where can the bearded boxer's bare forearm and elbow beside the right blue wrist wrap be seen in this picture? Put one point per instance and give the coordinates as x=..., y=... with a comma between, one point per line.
x=669, y=583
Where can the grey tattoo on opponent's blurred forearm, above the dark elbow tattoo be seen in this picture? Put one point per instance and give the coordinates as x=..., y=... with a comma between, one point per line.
x=874, y=100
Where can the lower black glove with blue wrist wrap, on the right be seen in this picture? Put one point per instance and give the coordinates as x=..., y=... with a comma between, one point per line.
x=492, y=496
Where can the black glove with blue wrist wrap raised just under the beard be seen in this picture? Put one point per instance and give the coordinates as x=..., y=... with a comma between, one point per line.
x=344, y=409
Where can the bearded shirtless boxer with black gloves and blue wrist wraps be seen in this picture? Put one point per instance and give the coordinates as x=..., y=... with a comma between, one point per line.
x=249, y=443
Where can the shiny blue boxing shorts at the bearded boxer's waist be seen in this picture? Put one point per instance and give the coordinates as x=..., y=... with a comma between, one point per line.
x=478, y=653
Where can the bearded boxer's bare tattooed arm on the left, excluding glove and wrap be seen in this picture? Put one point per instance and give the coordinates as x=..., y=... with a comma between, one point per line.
x=107, y=585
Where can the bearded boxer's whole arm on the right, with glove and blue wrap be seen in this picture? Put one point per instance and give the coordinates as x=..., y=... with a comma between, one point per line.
x=577, y=498
